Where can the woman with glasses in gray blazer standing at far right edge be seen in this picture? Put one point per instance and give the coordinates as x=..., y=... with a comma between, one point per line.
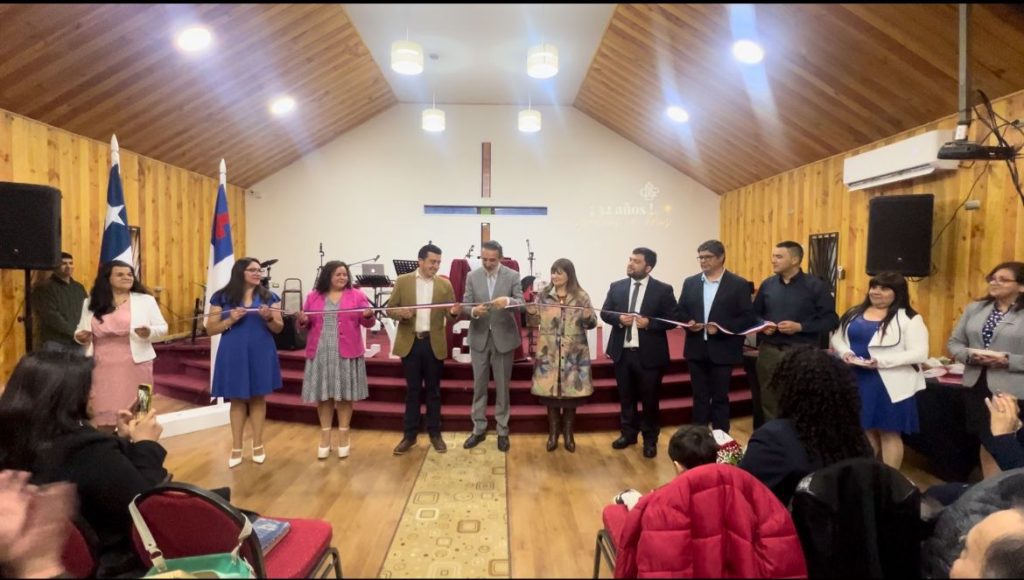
x=990, y=341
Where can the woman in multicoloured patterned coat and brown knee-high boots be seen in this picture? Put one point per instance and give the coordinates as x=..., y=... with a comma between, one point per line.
x=562, y=370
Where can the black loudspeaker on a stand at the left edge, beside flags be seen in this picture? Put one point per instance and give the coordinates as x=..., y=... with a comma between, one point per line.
x=30, y=227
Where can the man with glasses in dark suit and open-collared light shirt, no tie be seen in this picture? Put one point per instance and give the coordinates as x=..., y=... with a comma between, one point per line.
x=715, y=296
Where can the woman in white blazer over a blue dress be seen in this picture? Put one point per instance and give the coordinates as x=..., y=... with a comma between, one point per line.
x=885, y=342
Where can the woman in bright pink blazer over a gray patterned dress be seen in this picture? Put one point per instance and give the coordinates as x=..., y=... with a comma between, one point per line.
x=336, y=372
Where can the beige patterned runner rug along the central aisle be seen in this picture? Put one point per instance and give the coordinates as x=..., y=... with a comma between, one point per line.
x=456, y=521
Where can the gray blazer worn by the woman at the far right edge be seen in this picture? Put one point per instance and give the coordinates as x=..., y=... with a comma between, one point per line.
x=1009, y=338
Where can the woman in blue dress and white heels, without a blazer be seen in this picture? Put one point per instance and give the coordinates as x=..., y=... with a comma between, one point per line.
x=247, y=367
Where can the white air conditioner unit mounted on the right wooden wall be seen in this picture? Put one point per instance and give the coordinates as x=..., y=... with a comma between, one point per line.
x=905, y=160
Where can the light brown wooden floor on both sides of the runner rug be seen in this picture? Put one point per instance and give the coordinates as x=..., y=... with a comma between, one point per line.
x=556, y=500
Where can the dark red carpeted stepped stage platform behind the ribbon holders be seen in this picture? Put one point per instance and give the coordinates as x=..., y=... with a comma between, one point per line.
x=183, y=371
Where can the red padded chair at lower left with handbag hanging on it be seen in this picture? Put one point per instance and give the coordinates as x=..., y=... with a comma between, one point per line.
x=188, y=521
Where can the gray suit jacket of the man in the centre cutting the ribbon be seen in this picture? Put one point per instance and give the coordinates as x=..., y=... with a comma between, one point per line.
x=499, y=323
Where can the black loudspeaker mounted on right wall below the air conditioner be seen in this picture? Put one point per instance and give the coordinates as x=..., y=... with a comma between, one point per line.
x=900, y=235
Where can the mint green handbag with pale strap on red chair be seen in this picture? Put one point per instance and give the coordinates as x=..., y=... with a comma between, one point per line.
x=226, y=565
